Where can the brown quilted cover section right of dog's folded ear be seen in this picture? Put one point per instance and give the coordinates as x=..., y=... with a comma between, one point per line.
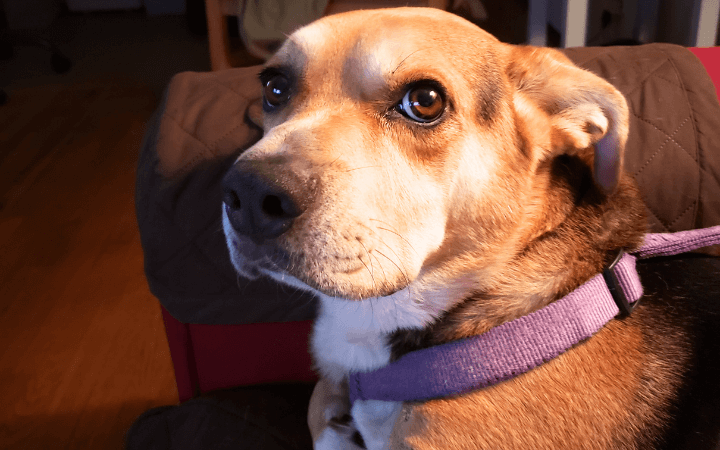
x=673, y=149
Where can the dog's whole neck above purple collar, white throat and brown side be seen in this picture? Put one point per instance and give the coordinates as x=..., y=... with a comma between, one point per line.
x=576, y=233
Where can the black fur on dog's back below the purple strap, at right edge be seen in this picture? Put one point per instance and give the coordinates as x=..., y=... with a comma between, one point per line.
x=686, y=290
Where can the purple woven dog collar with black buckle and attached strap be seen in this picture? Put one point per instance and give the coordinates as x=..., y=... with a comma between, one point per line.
x=520, y=345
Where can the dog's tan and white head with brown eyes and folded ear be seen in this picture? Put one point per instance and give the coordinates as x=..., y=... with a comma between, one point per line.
x=407, y=148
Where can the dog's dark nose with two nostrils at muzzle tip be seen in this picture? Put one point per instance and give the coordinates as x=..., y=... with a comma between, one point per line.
x=255, y=206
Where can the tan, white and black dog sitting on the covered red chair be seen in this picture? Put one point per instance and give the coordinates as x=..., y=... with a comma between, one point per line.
x=429, y=183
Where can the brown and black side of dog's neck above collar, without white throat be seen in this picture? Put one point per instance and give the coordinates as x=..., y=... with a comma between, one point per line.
x=578, y=235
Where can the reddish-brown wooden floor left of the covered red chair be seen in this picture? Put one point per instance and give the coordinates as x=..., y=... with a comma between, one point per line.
x=82, y=344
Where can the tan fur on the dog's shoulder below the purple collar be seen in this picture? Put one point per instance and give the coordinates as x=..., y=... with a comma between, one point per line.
x=596, y=396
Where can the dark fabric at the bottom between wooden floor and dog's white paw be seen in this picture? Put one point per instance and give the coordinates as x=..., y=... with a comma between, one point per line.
x=257, y=418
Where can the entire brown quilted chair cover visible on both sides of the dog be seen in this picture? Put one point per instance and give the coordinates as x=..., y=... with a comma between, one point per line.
x=203, y=124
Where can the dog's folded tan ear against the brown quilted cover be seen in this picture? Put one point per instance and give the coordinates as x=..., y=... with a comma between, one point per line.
x=579, y=108
